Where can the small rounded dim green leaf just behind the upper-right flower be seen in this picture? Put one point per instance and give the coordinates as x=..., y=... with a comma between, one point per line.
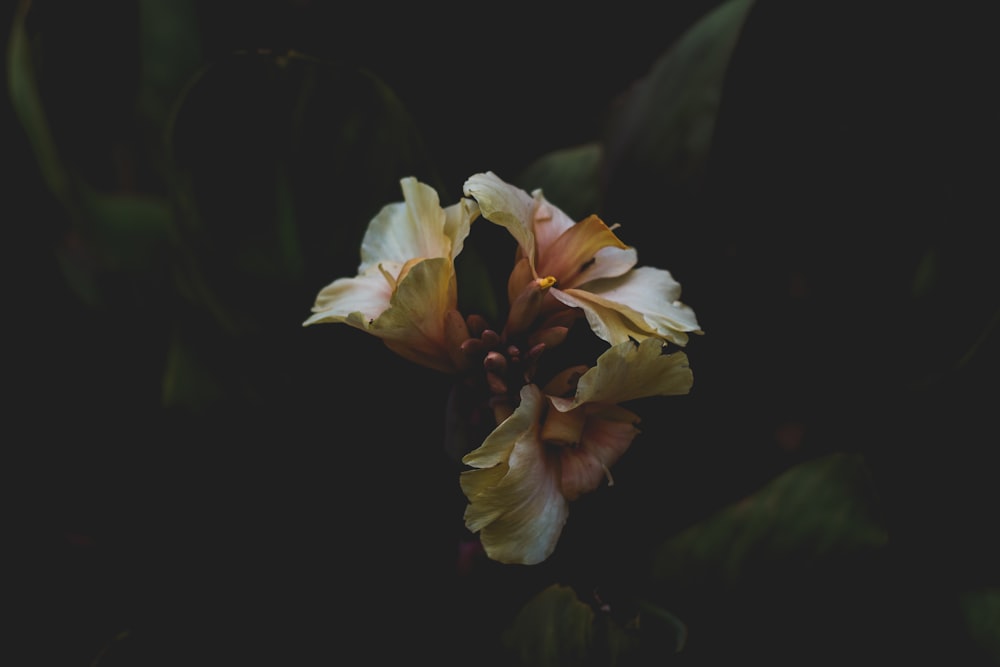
x=569, y=178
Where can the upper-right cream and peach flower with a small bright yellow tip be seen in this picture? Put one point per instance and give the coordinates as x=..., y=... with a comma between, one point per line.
x=593, y=270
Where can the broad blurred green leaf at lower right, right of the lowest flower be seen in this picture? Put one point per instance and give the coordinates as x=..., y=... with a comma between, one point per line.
x=821, y=508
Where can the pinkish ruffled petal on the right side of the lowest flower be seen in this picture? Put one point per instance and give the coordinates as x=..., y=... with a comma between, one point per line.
x=608, y=432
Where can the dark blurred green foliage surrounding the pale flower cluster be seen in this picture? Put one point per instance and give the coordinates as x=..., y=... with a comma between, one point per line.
x=210, y=483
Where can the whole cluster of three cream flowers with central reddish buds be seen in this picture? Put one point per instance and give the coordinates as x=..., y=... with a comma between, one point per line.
x=555, y=434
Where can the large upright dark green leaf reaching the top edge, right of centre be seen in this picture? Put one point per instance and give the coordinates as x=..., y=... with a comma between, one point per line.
x=662, y=132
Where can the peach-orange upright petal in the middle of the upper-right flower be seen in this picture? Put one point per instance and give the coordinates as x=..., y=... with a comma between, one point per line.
x=574, y=253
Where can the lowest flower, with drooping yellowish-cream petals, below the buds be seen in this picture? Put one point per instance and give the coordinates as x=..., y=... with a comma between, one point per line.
x=558, y=445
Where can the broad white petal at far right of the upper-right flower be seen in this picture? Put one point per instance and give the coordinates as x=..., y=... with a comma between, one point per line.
x=644, y=302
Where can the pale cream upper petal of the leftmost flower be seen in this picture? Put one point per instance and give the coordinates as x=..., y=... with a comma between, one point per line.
x=411, y=229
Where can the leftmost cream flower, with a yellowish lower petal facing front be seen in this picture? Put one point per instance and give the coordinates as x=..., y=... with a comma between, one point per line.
x=405, y=291
